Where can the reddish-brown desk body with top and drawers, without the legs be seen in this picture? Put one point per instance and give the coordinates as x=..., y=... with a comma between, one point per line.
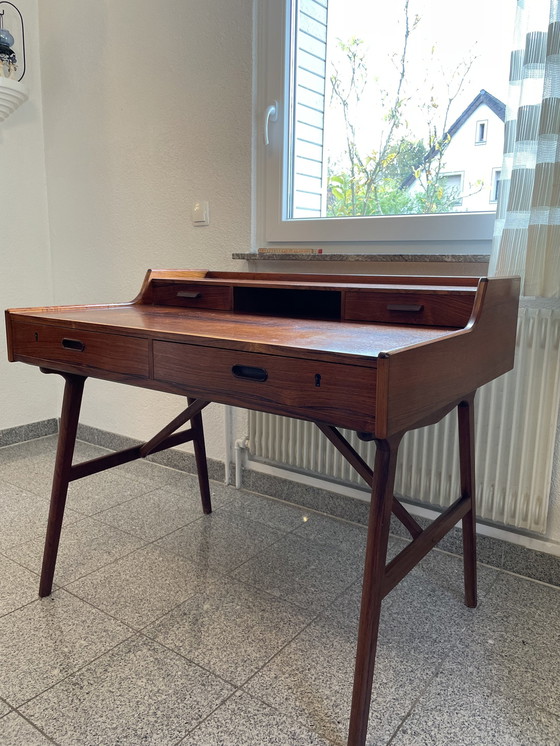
x=375, y=354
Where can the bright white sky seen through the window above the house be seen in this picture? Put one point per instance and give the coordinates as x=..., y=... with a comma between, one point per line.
x=447, y=36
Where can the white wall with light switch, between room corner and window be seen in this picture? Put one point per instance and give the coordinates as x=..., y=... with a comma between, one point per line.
x=147, y=107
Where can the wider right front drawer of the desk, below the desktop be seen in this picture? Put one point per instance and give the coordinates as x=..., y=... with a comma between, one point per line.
x=308, y=389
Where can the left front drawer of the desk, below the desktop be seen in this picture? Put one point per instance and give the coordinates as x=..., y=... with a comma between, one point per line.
x=42, y=343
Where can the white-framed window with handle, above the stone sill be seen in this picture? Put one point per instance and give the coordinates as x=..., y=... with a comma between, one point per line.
x=371, y=118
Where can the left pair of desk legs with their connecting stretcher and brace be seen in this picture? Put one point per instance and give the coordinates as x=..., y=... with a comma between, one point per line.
x=65, y=472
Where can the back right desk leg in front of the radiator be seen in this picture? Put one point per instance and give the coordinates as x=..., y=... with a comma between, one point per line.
x=466, y=456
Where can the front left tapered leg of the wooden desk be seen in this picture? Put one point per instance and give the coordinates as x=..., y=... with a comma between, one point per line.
x=71, y=403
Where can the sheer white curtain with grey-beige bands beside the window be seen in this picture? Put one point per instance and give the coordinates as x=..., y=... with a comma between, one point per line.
x=527, y=231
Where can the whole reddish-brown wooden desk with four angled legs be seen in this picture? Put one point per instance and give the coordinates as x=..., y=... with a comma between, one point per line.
x=379, y=355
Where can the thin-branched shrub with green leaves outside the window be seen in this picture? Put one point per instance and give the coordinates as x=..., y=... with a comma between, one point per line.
x=403, y=176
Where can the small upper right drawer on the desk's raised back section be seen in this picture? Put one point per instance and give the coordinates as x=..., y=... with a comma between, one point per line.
x=427, y=308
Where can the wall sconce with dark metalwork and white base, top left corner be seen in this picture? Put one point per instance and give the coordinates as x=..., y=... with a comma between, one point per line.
x=12, y=91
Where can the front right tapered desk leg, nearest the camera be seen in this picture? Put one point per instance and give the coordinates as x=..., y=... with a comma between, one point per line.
x=372, y=591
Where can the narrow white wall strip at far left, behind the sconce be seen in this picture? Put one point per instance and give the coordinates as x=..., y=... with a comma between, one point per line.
x=25, y=270
